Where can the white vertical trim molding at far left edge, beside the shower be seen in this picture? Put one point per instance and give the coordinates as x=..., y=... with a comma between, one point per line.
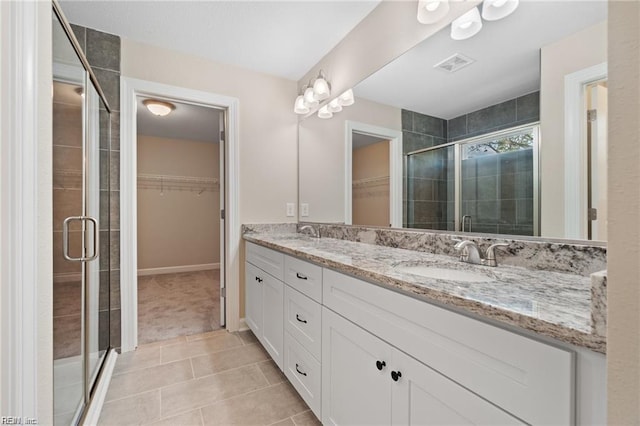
x=26, y=337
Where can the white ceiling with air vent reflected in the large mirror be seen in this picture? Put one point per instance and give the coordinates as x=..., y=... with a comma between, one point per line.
x=506, y=54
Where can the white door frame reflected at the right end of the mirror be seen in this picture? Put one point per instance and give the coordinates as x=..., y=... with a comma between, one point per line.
x=575, y=149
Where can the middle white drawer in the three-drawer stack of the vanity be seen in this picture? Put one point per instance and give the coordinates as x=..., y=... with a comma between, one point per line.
x=302, y=318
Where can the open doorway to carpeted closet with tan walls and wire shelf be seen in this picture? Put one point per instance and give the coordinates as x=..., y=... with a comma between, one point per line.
x=180, y=233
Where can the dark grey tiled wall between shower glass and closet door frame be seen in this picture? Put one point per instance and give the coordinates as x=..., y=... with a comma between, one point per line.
x=103, y=53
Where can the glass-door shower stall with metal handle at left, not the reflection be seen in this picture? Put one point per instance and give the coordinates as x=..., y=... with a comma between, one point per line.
x=81, y=228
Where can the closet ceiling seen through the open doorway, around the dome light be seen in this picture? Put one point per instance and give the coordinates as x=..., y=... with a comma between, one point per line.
x=190, y=122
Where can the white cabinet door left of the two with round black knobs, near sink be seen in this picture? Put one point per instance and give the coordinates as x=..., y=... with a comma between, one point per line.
x=354, y=390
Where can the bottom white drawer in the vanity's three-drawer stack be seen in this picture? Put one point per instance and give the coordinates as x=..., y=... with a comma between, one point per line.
x=304, y=373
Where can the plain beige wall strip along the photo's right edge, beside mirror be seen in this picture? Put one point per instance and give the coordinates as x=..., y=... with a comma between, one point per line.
x=623, y=330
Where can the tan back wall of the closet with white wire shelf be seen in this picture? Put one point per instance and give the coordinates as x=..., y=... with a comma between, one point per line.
x=177, y=226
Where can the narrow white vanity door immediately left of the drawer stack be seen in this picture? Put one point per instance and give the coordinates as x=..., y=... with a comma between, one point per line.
x=273, y=318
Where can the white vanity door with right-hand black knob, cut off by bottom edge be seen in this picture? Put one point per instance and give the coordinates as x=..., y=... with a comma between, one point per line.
x=422, y=396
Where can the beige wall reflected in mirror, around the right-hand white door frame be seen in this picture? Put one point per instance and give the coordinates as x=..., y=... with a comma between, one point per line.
x=576, y=52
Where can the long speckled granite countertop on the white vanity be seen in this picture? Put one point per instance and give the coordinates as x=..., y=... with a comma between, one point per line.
x=552, y=304
